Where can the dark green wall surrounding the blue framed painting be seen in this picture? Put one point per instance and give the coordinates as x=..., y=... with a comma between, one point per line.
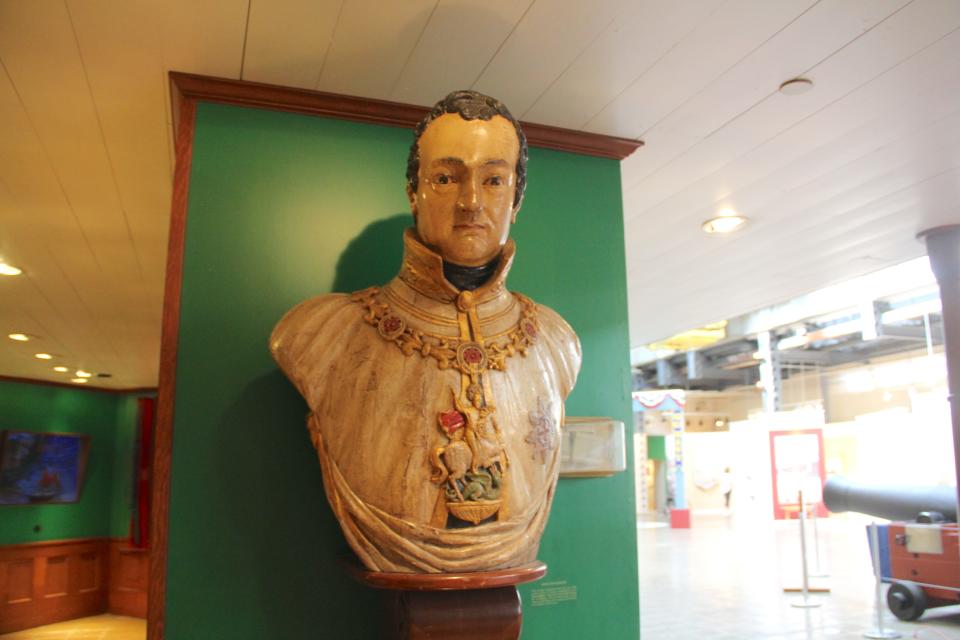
x=110, y=419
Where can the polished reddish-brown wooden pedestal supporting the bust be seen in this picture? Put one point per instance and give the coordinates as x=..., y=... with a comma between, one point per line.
x=467, y=606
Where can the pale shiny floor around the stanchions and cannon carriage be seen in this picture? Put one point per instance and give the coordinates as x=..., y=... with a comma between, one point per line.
x=723, y=579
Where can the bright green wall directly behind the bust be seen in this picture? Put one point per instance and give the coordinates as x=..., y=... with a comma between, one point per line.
x=283, y=207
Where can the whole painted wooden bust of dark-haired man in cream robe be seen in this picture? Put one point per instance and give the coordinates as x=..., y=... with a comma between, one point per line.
x=436, y=400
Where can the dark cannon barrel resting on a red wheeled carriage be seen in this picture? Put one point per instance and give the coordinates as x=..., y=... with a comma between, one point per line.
x=893, y=502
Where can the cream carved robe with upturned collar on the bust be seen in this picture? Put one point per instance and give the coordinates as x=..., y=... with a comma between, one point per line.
x=381, y=368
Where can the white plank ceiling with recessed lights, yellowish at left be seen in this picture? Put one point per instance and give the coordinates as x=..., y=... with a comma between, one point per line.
x=836, y=182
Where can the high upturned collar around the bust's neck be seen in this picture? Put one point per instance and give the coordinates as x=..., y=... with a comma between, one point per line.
x=422, y=270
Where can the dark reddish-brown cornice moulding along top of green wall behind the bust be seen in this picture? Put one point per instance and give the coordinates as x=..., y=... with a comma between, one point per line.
x=185, y=86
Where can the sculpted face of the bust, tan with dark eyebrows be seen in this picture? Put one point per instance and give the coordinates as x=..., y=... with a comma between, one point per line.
x=463, y=207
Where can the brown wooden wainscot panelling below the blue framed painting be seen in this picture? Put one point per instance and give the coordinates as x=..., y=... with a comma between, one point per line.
x=46, y=582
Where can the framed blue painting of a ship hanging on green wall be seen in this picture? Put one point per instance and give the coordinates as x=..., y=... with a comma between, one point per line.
x=42, y=468
